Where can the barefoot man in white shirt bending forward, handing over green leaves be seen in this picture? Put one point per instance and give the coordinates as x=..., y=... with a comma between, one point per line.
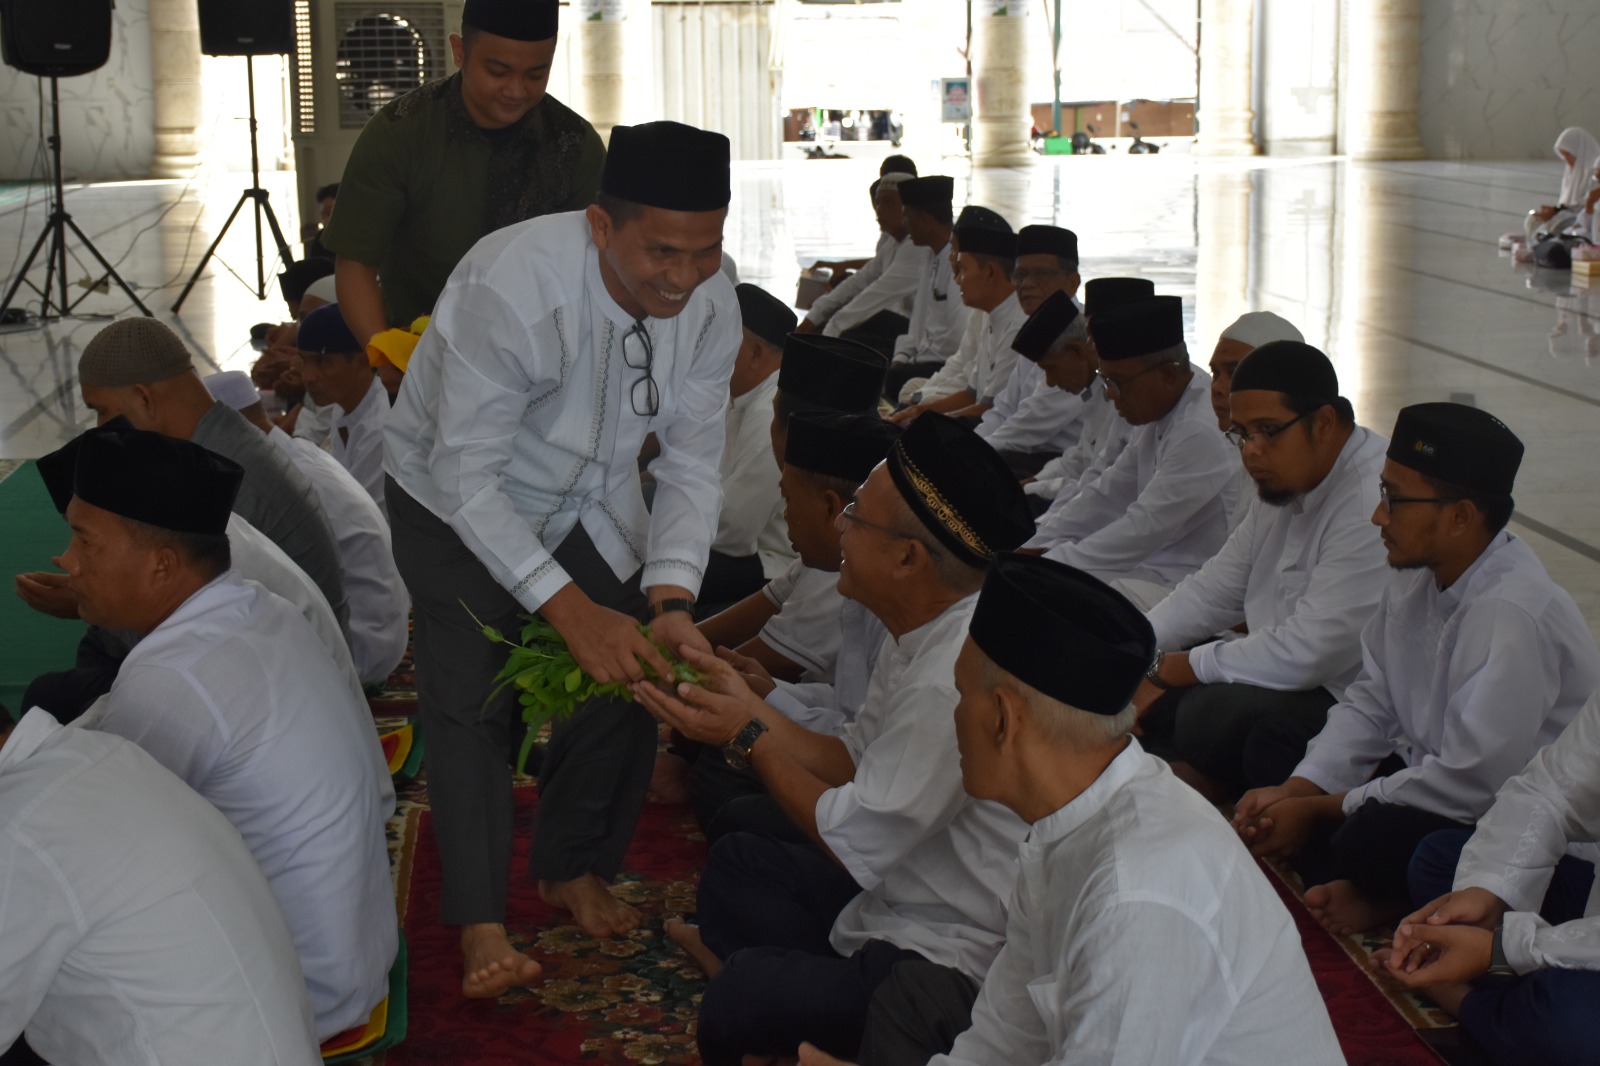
x=556, y=348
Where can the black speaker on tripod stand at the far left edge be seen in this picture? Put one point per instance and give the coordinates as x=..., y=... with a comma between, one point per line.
x=55, y=41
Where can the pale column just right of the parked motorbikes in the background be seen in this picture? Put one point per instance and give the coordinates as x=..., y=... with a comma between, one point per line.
x=1228, y=47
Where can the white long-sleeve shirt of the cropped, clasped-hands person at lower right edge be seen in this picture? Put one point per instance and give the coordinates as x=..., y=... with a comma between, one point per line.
x=1537, y=816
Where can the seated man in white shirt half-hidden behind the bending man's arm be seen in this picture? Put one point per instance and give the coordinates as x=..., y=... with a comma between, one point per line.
x=751, y=547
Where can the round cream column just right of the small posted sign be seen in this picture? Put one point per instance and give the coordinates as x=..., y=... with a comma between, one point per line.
x=1001, y=118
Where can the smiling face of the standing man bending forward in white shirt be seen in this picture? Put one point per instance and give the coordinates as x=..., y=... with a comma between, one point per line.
x=657, y=258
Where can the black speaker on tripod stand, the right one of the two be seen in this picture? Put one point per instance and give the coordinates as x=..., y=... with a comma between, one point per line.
x=247, y=28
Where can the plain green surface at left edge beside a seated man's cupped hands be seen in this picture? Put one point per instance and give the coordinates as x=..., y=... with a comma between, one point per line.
x=31, y=532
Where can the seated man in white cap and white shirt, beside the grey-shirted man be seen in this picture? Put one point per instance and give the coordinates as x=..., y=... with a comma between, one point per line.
x=380, y=607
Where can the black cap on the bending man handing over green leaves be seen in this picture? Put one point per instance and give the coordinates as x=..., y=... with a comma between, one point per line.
x=668, y=166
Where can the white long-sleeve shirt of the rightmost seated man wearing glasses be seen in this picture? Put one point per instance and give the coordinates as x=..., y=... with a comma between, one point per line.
x=1465, y=684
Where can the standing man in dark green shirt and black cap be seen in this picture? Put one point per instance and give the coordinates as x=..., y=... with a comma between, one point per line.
x=455, y=161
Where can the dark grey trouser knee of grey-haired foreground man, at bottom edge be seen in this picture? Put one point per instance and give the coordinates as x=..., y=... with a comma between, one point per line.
x=918, y=1014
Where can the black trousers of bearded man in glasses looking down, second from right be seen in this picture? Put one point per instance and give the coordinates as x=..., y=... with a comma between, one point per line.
x=1242, y=737
